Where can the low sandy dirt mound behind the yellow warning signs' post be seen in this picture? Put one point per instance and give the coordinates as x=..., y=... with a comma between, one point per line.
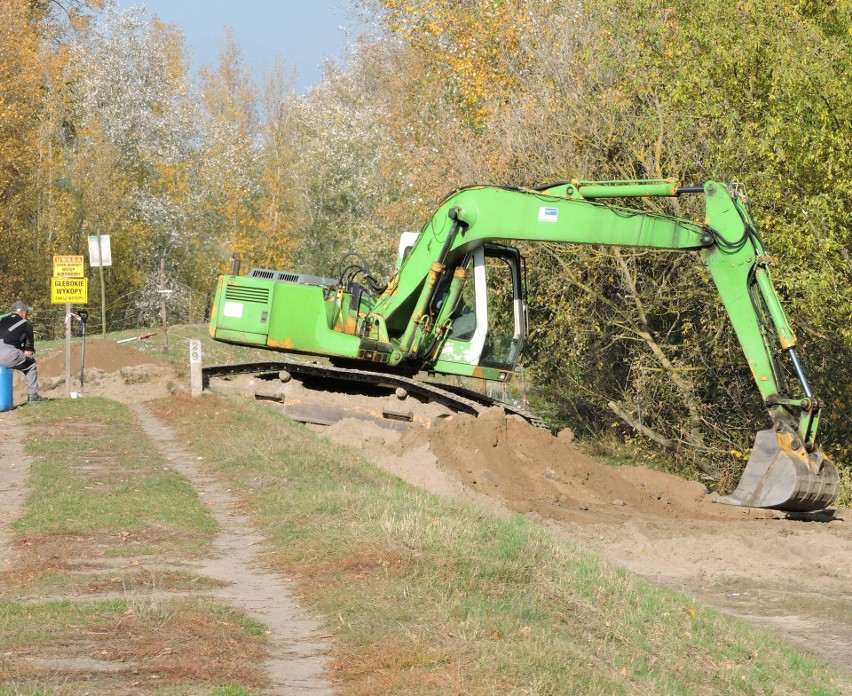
x=112, y=370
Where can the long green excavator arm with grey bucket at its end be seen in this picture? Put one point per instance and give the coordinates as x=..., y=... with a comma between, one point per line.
x=786, y=469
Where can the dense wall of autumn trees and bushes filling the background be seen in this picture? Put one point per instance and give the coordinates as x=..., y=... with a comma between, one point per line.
x=104, y=130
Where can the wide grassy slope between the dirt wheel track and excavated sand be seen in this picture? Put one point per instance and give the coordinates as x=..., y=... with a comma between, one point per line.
x=423, y=591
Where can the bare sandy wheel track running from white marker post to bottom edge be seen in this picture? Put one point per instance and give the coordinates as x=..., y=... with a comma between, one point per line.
x=299, y=662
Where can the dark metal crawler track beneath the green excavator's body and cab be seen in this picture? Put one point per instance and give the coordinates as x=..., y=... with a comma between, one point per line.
x=453, y=399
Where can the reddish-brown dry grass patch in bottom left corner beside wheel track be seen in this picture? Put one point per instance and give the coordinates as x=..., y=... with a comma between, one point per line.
x=141, y=644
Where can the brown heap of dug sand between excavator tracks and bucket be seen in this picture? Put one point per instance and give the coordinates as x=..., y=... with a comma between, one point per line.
x=528, y=469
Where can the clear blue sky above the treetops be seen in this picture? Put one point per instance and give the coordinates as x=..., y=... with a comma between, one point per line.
x=302, y=33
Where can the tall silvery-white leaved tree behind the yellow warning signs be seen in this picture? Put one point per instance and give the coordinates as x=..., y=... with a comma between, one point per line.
x=134, y=128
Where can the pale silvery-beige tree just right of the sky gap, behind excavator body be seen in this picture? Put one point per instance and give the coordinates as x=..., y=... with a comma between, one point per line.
x=347, y=166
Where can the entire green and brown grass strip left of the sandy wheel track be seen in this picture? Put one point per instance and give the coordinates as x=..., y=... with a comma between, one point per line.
x=103, y=513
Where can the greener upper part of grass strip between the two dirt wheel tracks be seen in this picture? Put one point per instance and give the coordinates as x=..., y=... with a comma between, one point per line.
x=95, y=471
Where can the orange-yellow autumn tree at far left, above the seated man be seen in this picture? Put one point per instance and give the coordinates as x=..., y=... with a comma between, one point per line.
x=33, y=37
